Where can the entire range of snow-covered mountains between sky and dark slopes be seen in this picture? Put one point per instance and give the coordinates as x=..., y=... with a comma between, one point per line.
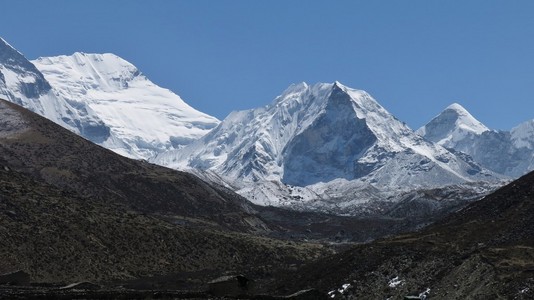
x=311, y=145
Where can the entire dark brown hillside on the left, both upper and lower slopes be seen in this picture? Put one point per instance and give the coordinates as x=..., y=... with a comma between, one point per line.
x=72, y=211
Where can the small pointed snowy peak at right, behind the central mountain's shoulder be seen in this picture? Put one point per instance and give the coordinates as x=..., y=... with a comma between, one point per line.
x=452, y=125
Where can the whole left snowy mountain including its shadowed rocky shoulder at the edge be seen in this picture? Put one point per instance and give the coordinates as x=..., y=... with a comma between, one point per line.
x=104, y=98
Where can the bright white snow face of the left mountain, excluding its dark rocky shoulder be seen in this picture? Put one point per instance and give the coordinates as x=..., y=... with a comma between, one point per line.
x=143, y=118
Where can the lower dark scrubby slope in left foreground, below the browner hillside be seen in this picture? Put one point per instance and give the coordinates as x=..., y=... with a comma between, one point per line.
x=57, y=236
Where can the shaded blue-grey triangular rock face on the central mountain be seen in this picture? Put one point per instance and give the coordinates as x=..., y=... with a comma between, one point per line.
x=330, y=147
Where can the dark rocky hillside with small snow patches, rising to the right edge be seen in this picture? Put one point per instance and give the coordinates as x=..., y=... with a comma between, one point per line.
x=485, y=251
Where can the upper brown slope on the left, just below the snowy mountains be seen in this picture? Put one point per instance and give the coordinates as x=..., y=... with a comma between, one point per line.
x=48, y=153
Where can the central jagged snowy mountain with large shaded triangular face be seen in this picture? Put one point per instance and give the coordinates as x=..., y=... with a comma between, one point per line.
x=322, y=142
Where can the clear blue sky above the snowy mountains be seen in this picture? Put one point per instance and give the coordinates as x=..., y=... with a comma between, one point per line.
x=415, y=57
